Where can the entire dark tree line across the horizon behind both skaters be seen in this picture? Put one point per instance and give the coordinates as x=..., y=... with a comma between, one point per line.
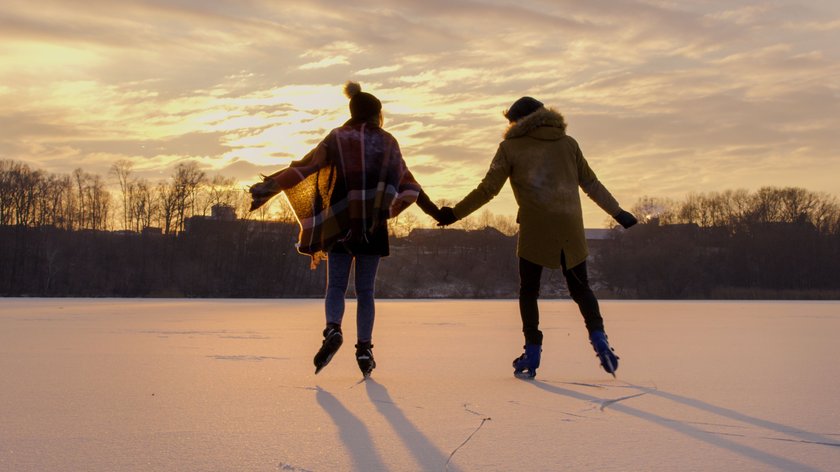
x=57, y=238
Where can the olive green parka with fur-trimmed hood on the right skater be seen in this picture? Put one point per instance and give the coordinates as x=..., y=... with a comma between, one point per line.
x=545, y=167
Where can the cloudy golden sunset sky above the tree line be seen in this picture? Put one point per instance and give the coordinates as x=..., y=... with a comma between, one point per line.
x=665, y=97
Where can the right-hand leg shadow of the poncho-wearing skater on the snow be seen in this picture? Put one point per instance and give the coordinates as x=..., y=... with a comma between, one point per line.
x=428, y=456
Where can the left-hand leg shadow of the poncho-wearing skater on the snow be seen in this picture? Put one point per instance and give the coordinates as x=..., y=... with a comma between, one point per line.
x=354, y=434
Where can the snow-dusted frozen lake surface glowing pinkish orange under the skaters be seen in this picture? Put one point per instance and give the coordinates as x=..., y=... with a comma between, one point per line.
x=228, y=385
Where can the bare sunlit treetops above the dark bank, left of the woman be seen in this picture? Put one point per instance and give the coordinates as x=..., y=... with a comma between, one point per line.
x=82, y=201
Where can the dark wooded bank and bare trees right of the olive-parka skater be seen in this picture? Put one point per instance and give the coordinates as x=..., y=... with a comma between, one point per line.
x=771, y=243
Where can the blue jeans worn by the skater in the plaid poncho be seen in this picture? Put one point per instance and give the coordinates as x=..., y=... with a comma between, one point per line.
x=338, y=277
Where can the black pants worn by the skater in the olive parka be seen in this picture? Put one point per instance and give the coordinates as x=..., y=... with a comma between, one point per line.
x=578, y=285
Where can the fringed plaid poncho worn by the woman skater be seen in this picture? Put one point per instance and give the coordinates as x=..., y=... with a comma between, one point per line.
x=344, y=189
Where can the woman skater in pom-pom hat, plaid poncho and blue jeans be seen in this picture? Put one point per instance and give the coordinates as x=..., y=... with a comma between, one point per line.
x=342, y=193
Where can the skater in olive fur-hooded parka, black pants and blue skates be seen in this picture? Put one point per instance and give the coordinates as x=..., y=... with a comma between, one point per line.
x=546, y=167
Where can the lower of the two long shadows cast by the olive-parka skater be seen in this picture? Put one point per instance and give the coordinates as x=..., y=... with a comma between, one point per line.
x=768, y=459
